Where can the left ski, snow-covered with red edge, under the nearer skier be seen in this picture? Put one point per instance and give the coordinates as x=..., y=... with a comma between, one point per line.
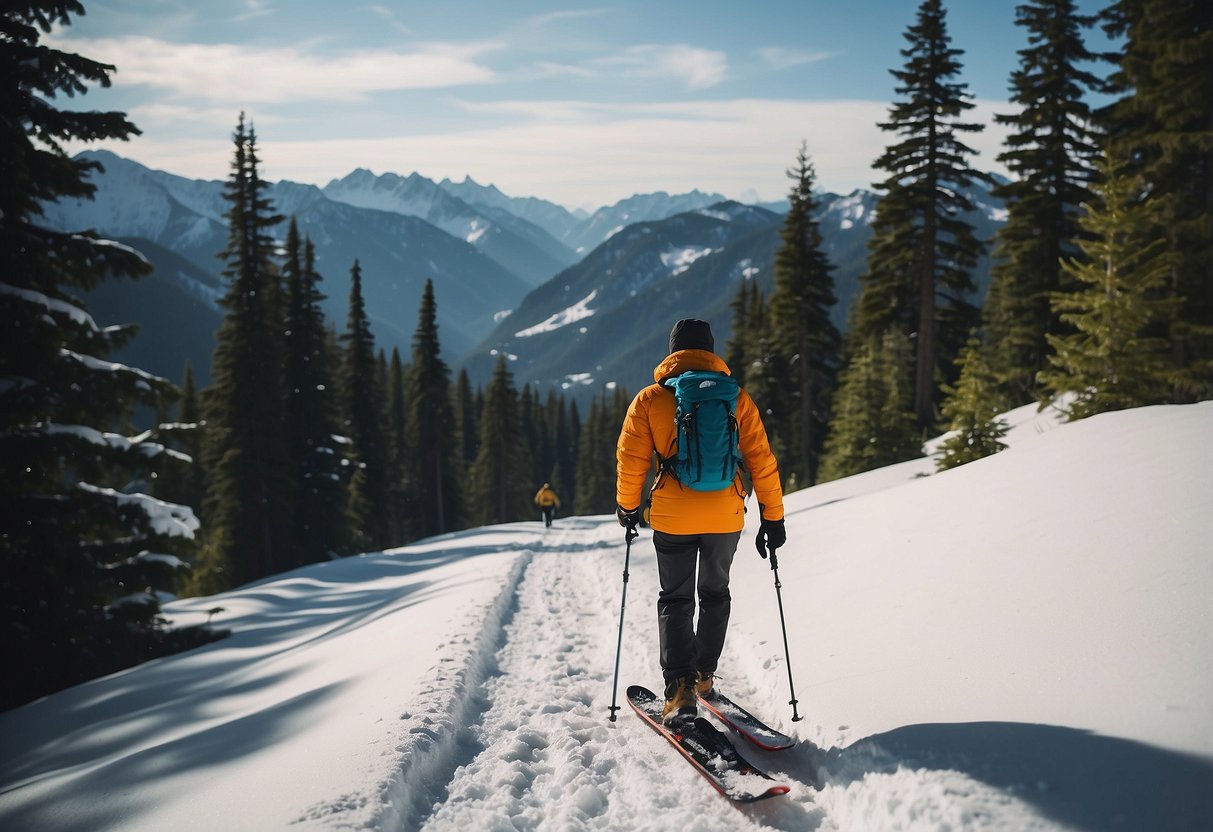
x=709, y=750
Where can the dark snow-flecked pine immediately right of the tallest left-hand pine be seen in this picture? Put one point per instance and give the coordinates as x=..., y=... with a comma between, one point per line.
x=317, y=528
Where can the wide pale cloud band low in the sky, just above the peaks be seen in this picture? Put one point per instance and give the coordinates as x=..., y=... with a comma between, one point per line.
x=578, y=153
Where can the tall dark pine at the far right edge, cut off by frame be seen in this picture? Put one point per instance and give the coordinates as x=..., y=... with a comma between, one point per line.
x=1164, y=124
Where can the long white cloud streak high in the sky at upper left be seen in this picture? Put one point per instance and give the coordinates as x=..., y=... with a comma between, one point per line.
x=230, y=72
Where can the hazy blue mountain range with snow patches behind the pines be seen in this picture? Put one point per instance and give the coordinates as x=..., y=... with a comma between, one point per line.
x=574, y=300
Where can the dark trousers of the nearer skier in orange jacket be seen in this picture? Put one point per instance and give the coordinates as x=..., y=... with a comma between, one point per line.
x=685, y=647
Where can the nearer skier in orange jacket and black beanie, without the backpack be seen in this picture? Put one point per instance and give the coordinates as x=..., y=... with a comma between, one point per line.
x=693, y=527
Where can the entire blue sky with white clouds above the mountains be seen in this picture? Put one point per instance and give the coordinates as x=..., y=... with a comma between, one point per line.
x=579, y=104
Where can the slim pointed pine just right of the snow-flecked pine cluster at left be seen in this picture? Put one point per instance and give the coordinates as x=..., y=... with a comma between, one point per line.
x=369, y=506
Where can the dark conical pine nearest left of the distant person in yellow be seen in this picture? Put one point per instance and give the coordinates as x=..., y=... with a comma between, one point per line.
x=502, y=488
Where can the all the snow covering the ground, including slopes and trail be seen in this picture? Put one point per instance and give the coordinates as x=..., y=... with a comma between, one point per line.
x=1022, y=643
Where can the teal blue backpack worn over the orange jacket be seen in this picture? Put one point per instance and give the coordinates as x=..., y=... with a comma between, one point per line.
x=707, y=419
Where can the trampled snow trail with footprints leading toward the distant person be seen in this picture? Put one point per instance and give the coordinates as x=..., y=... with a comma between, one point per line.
x=544, y=739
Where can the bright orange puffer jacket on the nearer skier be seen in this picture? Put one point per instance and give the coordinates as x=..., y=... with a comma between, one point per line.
x=650, y=428
